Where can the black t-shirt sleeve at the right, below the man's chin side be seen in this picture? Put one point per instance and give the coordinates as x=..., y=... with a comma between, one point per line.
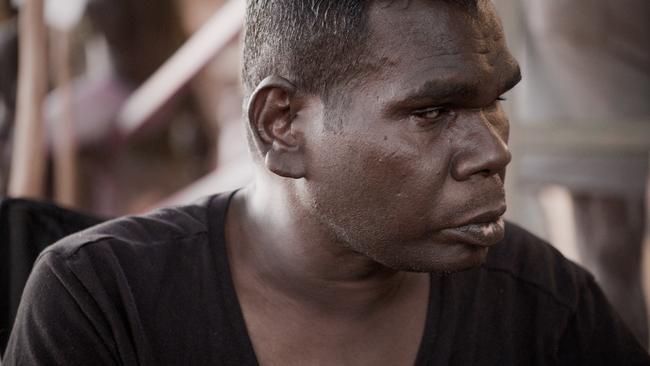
x=596, y=335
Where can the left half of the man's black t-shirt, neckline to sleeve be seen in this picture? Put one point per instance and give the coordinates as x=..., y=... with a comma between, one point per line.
x=131, y=288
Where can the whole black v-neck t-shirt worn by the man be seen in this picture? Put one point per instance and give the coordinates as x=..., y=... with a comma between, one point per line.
x=157, y=290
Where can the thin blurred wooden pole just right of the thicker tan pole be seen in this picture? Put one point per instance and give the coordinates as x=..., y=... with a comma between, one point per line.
x=65, y=144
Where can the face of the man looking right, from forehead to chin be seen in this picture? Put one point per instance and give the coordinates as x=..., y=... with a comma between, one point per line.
x=408, y=166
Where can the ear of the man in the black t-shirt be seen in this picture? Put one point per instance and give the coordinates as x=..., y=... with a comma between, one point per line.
x=271, y=111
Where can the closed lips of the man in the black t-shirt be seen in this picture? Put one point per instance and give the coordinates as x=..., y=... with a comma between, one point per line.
x=484, y=230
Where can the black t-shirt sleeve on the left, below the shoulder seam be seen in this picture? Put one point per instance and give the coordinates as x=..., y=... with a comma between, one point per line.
x=57, y=322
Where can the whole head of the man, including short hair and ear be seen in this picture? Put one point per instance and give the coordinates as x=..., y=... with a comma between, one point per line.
x=383, y=120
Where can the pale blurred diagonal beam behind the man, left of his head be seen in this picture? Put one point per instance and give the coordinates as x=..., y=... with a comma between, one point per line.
x=173, y=75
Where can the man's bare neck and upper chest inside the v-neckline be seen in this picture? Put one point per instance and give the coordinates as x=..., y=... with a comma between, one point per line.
x=301, y=290
